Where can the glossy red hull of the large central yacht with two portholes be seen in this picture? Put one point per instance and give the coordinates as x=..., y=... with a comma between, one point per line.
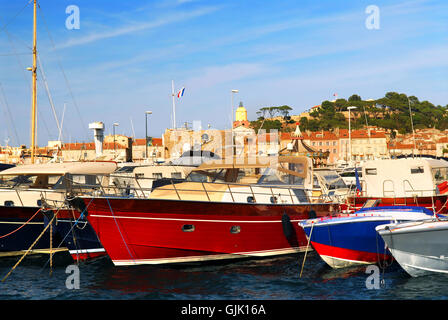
x=150, y=231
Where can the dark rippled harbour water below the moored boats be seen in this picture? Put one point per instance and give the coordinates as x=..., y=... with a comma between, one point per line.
x=267, y=279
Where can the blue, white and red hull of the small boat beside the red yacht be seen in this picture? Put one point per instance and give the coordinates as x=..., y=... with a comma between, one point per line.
x=346, y=240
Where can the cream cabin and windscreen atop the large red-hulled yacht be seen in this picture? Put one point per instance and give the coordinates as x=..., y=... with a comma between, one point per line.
x=283, y=179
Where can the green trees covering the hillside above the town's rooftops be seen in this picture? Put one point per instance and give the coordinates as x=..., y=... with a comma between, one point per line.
x=391, y=112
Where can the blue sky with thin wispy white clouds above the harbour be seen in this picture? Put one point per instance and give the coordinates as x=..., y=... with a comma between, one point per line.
x=122, y=59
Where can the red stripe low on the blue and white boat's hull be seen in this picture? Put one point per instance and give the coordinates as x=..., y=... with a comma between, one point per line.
x=347, y=254
